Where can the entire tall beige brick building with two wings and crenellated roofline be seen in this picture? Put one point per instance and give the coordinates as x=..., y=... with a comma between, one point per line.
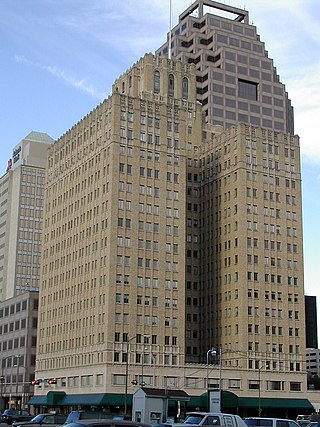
x=166, y=237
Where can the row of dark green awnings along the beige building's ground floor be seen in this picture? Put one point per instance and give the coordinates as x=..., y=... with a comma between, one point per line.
x=119, y=403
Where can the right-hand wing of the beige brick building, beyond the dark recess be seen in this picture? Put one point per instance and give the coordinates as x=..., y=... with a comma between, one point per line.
x=251, y=247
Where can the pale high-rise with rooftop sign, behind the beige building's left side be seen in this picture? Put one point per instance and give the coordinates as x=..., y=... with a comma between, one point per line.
x=21, y=208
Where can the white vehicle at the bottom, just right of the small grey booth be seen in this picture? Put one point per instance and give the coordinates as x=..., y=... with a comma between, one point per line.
x=208, y=418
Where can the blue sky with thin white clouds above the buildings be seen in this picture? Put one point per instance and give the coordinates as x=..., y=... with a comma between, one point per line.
x=59, y=59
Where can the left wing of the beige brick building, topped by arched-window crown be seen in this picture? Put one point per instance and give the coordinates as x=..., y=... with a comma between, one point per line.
x=114, y=237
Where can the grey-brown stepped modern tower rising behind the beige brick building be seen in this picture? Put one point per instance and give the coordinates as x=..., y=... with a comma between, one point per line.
x=237, y=82
